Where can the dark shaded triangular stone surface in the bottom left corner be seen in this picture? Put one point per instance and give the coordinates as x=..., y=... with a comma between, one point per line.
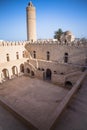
x=9, y=122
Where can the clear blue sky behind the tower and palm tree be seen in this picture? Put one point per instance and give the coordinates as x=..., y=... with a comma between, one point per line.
x=50, y=16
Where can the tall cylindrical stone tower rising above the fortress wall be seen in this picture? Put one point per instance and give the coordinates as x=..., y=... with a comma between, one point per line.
x=31, y=22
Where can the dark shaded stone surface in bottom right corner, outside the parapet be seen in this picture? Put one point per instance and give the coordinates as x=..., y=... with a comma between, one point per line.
x=75, y=116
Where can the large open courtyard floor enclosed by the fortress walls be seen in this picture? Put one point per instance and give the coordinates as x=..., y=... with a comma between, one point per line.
x=33, y=98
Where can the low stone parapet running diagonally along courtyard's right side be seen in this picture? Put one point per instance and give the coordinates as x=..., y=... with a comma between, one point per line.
x=65, y=102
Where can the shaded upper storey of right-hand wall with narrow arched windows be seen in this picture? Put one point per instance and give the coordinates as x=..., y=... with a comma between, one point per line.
x=57, y=51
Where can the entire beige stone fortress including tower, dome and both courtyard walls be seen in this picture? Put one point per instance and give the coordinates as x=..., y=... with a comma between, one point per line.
x=60, y=62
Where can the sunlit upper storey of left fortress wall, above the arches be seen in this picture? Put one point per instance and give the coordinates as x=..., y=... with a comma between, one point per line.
x=11, y=48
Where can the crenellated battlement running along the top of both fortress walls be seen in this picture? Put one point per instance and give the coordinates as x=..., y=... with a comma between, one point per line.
x=77, y=43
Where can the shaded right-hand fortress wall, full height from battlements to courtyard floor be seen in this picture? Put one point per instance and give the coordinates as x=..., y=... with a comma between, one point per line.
x=61, y=67
